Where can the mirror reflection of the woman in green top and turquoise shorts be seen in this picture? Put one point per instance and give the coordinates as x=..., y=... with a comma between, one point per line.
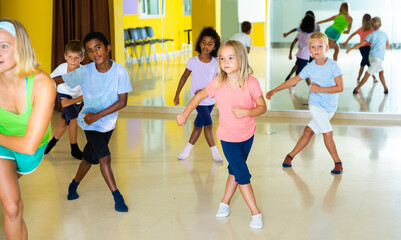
x=342, y=21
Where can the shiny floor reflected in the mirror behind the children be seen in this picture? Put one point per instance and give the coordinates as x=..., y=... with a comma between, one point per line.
x=155, y=84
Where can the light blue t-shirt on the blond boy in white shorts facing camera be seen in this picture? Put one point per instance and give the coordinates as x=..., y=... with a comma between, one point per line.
x=323, y=75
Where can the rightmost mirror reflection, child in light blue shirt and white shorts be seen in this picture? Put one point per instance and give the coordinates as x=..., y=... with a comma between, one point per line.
x=379, y=42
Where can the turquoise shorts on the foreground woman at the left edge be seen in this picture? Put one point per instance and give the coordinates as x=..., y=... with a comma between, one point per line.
x=25, y=163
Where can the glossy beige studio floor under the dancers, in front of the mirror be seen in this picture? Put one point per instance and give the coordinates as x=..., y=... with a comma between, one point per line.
x=172, y=199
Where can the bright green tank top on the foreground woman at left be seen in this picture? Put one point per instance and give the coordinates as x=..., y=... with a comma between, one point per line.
x=12, y=124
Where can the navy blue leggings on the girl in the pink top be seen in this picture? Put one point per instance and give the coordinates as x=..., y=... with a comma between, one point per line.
x=236, y=155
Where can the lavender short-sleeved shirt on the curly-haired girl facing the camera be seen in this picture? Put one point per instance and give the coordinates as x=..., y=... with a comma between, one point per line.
x=202, y=74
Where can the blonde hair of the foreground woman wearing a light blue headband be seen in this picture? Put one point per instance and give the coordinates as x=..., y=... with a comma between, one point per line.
x=25, y=58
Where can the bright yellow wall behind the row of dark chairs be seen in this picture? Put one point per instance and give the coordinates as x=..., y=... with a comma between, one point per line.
x=172, y=24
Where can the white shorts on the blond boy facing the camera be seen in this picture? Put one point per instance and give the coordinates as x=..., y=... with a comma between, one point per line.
x=320, y=122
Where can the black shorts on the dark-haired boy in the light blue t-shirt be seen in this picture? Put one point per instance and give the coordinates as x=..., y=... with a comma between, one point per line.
x=97, y=146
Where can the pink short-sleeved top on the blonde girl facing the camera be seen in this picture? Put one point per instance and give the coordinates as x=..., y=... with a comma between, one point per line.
x=232, y=129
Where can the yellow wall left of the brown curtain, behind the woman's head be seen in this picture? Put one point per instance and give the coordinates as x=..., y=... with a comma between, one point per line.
x=37, y=18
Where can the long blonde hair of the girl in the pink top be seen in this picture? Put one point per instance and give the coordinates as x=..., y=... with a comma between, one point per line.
x=241, y=57
